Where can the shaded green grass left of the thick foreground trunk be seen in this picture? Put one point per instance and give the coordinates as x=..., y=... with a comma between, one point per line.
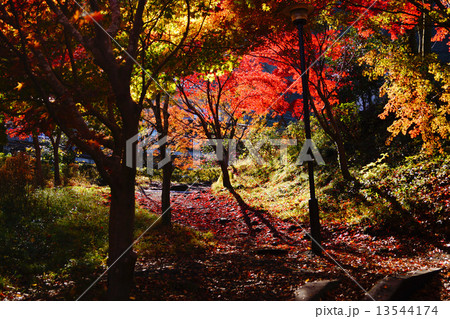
x=56, y=232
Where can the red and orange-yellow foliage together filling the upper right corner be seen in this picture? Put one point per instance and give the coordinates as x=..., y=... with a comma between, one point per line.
x=415, y=80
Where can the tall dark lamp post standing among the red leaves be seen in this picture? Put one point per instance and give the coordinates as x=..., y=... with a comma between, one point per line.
x=299, y=15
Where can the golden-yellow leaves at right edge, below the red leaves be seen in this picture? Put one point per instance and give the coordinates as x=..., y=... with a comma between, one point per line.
x=418, y=92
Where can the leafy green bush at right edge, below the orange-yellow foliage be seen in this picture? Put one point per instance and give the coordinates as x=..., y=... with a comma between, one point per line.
x=420, y=184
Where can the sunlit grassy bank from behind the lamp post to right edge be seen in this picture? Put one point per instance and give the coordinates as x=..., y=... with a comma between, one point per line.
x=419, y=186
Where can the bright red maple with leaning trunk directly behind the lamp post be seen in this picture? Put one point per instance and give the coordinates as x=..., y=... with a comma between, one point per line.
x=329, y=62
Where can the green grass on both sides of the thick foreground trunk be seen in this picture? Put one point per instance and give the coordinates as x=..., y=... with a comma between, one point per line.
x=54, y=244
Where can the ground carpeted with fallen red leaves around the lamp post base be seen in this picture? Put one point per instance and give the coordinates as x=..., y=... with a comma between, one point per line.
x=241, y=267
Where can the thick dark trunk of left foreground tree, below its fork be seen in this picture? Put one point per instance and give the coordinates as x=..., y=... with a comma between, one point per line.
x=121, y=257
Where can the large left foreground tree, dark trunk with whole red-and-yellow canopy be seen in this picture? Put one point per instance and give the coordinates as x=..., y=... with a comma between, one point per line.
x=85, y=74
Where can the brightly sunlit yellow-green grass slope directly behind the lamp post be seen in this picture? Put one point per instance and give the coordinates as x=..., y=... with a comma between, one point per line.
x=284, y=192
